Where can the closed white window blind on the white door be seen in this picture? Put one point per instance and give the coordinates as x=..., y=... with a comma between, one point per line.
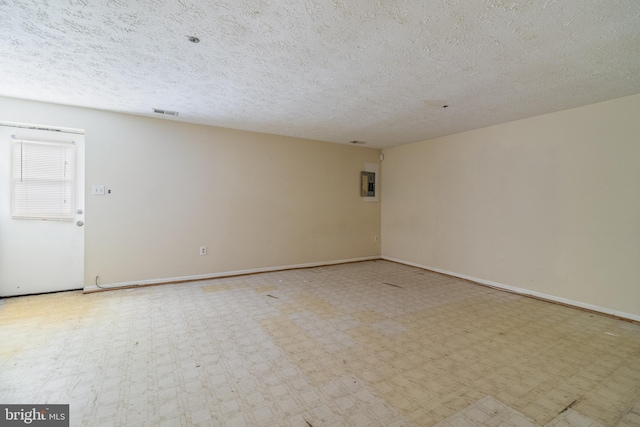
x=42, y=175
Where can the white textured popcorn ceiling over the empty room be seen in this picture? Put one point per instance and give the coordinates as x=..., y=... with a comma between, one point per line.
x=341, y=70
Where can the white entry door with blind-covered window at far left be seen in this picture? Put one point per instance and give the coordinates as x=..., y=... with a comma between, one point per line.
x=40, y=255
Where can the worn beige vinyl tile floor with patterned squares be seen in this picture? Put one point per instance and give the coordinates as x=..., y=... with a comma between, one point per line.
x=372, y=343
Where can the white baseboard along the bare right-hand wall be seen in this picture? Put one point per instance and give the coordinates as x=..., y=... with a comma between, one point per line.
x=522, y=291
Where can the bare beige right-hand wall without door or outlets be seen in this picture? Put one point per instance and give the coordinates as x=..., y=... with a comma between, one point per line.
x=549, y=204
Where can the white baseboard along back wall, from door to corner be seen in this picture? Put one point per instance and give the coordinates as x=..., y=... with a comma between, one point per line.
x=94, y=288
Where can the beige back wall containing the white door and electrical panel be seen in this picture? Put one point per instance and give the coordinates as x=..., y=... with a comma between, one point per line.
x=254, y=200
